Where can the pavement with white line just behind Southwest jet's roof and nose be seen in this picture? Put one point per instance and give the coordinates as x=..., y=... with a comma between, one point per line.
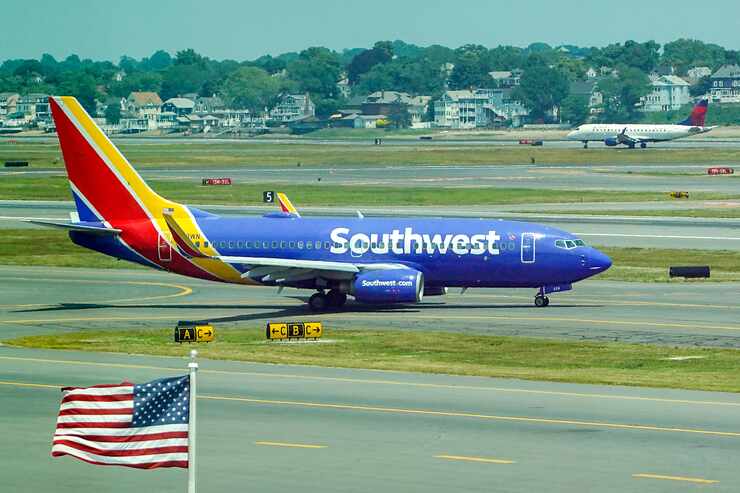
x=648, y=232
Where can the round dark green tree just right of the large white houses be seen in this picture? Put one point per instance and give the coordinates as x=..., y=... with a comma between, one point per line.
x=542, y=89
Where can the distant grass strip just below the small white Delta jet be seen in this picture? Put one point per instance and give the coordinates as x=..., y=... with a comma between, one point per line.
x=252, y=153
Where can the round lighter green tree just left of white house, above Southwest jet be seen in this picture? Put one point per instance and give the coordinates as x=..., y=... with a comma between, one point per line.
x=251, y=88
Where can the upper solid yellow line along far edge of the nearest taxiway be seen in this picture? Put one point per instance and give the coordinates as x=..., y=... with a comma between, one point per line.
x=380, y=382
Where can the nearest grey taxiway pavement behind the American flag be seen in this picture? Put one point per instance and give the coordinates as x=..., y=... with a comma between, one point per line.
x=289, y=428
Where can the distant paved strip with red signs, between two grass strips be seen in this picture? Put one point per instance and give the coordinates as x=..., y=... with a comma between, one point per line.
x=642, y=177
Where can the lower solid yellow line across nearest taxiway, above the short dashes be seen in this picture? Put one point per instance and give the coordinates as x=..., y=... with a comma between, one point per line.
x=452, y=414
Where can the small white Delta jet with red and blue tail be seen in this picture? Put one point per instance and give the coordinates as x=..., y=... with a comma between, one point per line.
x=632, y=135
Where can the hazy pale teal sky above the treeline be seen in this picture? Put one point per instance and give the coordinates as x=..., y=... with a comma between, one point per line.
x=246, y=29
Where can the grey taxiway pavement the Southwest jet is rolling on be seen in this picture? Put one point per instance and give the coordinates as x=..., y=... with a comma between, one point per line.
x=46, y=300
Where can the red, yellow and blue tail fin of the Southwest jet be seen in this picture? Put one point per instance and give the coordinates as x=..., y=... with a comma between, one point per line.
x=105, y=186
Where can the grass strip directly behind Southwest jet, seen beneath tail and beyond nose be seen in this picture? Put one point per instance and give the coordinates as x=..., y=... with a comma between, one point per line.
x=53, y=248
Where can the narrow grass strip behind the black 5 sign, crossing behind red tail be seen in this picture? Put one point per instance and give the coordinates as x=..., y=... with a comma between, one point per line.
x=23, y=187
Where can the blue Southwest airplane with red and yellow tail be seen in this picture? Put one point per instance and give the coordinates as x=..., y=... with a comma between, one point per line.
x=379, y=261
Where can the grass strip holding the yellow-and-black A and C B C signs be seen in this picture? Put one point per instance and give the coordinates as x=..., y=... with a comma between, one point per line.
x=440, y=352
